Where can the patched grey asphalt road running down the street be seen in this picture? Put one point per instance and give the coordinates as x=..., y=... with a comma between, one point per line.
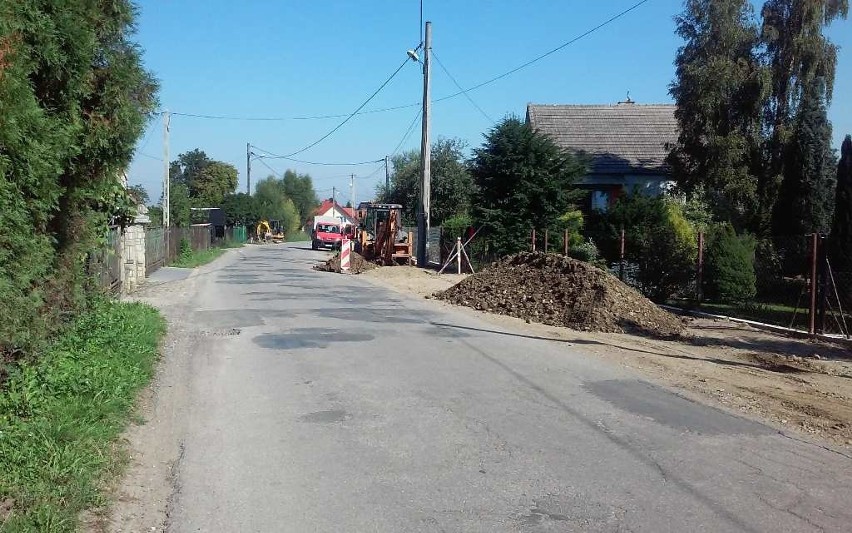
x=320, y=402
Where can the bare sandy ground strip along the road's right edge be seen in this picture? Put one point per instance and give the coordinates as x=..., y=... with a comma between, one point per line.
x=788, y=383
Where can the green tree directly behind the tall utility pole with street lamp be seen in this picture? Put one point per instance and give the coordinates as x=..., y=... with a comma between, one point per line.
x=452, y=183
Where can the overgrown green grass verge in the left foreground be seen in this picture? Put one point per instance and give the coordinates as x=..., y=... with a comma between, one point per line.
x=61, y=414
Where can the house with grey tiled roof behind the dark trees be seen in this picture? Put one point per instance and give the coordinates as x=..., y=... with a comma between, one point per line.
x=626, y=144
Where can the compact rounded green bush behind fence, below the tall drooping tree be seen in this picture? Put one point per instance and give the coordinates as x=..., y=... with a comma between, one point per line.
x=729, y=266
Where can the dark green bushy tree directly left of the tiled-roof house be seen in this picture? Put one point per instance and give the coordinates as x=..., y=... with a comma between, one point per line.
x=522, y=180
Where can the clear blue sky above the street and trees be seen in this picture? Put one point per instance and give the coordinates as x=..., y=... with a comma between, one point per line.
x=274, y=58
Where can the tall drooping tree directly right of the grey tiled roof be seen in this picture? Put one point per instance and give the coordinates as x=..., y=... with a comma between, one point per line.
x=720, y=89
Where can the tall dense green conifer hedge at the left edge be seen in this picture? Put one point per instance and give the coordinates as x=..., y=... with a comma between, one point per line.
x=74, y=98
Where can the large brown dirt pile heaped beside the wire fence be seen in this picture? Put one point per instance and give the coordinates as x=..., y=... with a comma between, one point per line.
x=560, y=291
